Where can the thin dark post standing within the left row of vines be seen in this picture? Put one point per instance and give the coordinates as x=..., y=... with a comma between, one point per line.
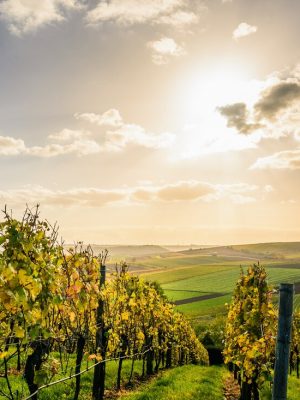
x=99, y=371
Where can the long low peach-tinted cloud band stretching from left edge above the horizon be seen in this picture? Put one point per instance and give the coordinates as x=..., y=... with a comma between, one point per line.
x=182, y=191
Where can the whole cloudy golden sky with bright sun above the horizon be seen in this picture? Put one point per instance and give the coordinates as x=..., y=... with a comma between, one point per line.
x=153, y=121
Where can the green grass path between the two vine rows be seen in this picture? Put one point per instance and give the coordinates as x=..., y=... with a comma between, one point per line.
x=189, y=382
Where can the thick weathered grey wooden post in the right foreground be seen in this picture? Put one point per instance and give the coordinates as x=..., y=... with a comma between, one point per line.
x=283, y=341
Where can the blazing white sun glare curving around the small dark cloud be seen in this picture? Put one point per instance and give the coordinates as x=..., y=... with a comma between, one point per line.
x=205, y=129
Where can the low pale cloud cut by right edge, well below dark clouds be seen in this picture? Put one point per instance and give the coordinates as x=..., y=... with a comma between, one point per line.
x=288, y=159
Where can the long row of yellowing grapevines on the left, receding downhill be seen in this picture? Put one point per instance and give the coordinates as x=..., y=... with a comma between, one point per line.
x=59, y=312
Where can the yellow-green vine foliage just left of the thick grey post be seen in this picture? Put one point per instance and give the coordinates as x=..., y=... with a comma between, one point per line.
x=251, y=331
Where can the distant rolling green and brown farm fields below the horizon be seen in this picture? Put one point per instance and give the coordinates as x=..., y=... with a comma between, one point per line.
x=210, y=274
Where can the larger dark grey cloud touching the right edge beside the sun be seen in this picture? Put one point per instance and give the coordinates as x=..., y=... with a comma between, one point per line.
x=276, y=99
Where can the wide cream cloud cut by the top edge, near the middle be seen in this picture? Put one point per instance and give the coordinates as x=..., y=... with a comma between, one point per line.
x=130, y=12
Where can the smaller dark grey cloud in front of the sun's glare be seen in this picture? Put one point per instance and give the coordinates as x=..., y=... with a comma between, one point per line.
x=237, y=115
